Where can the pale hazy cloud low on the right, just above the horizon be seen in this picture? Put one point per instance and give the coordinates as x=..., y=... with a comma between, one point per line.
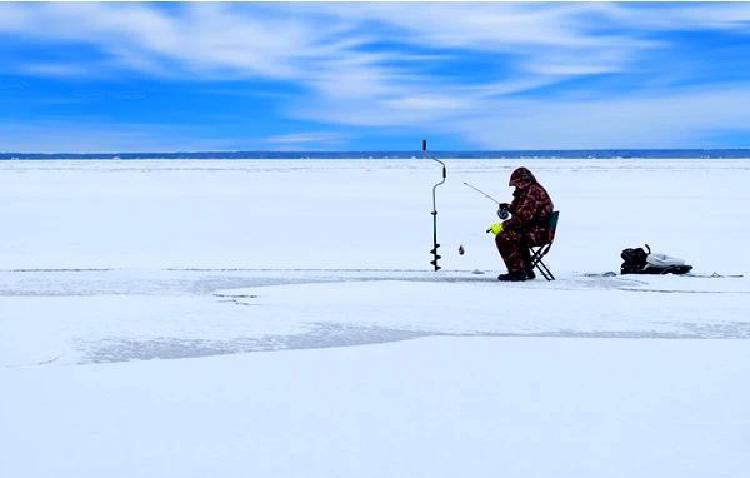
x=683, y=119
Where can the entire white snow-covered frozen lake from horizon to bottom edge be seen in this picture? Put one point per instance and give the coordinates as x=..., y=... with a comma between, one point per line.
x=140, y=302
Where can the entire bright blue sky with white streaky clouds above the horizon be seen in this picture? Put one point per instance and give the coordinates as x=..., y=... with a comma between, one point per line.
x=96, y=77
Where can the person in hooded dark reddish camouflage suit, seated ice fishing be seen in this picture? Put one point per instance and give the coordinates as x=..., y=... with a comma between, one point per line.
x=528, y=226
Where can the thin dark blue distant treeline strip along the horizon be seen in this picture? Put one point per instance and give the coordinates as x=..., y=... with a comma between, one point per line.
x=485, y=154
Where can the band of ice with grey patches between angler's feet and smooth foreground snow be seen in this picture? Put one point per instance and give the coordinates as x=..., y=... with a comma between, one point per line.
x=120, y=315
